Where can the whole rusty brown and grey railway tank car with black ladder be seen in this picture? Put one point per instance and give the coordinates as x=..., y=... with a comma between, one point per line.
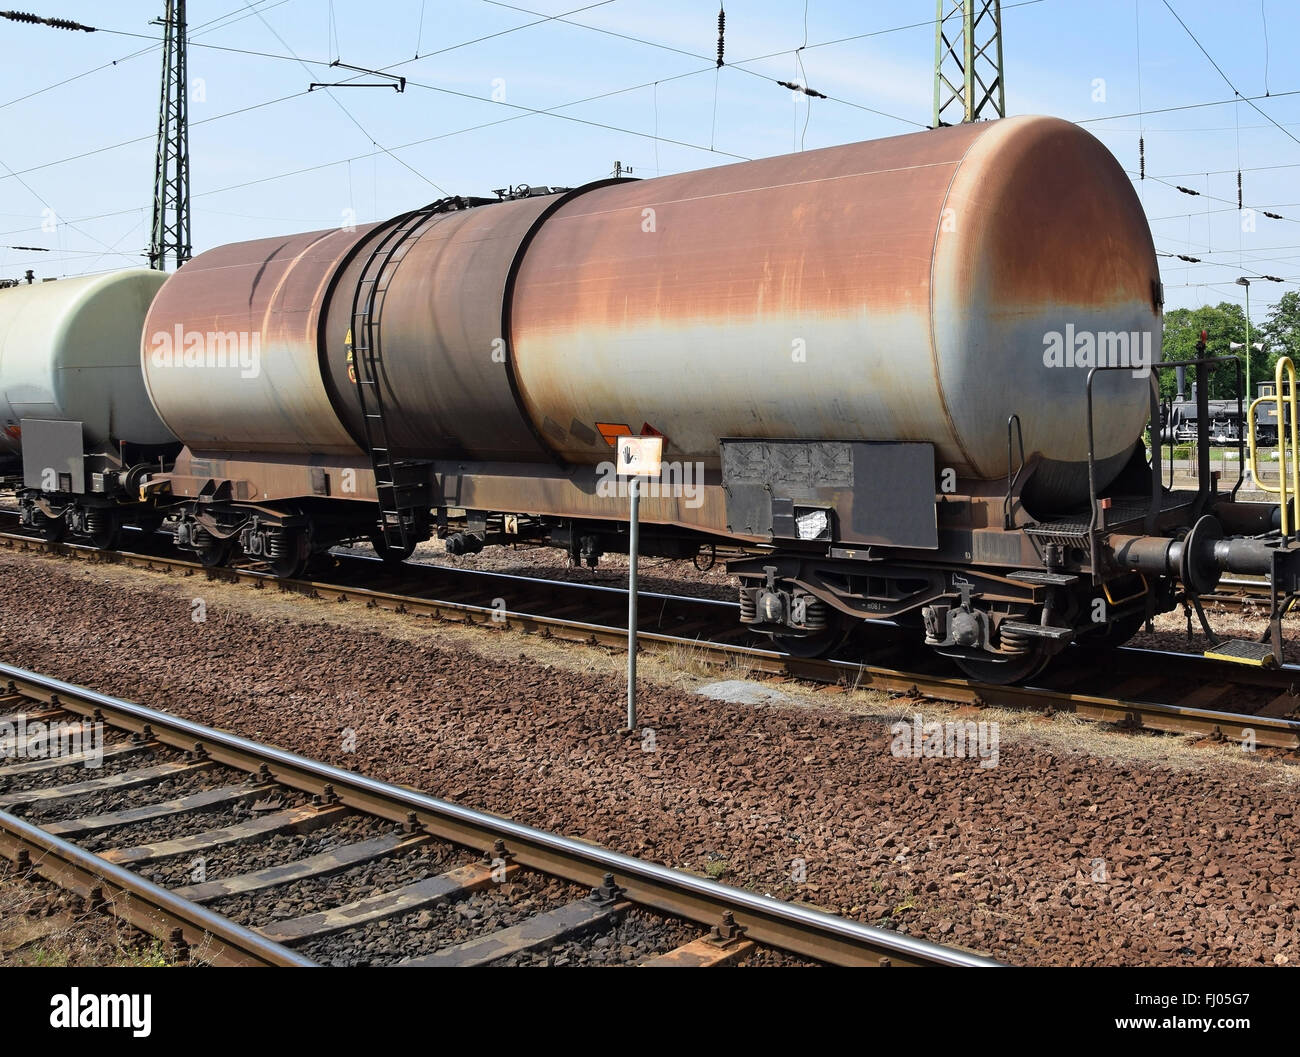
x=907, y=379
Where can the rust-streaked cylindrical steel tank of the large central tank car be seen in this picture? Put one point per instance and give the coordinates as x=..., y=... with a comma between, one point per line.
x=921, y=288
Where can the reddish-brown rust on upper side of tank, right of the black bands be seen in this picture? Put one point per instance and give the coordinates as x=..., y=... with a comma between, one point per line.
x=795, y=236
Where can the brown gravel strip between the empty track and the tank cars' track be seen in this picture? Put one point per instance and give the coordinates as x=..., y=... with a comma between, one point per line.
x=1077, y=848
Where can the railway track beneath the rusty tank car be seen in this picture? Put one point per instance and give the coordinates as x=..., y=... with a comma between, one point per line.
x=1136, y=688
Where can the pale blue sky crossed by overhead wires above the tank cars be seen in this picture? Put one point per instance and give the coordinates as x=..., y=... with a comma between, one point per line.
x=254, y=123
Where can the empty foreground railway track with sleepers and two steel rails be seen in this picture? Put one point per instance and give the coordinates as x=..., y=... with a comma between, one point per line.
x=239, y=854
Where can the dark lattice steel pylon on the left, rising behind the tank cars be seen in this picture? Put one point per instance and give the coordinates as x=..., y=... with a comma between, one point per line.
x=171, y=229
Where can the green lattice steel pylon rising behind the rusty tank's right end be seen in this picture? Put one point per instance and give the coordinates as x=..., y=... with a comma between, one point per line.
x=968, y=62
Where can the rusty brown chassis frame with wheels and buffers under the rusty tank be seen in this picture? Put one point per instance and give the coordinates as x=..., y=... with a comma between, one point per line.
x=993, y=587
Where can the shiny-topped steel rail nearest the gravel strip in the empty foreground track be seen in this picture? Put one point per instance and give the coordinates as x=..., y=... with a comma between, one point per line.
x=795, y=928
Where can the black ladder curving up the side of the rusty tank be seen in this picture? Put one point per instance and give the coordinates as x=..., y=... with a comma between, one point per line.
x=400, y=484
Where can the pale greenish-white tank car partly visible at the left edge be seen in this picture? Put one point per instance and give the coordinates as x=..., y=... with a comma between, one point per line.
x=75, y=417
